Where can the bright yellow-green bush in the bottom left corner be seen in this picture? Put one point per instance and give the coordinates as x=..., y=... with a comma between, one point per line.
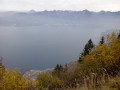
x=13, y=80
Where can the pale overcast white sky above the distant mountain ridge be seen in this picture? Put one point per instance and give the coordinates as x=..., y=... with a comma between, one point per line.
x=38, y=5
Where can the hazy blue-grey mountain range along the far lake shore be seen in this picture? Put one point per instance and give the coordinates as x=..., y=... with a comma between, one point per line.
x=34, y=18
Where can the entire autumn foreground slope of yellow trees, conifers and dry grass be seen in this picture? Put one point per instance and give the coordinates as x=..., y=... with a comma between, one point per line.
x=98, y=67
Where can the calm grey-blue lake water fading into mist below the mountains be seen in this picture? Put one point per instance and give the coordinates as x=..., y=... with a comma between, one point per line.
x=43, y=46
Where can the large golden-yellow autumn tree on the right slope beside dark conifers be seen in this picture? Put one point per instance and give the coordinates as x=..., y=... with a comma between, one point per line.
x=105, y=56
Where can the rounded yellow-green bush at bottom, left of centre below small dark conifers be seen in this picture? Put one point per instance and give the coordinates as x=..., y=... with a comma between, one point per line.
x=48, y=81
